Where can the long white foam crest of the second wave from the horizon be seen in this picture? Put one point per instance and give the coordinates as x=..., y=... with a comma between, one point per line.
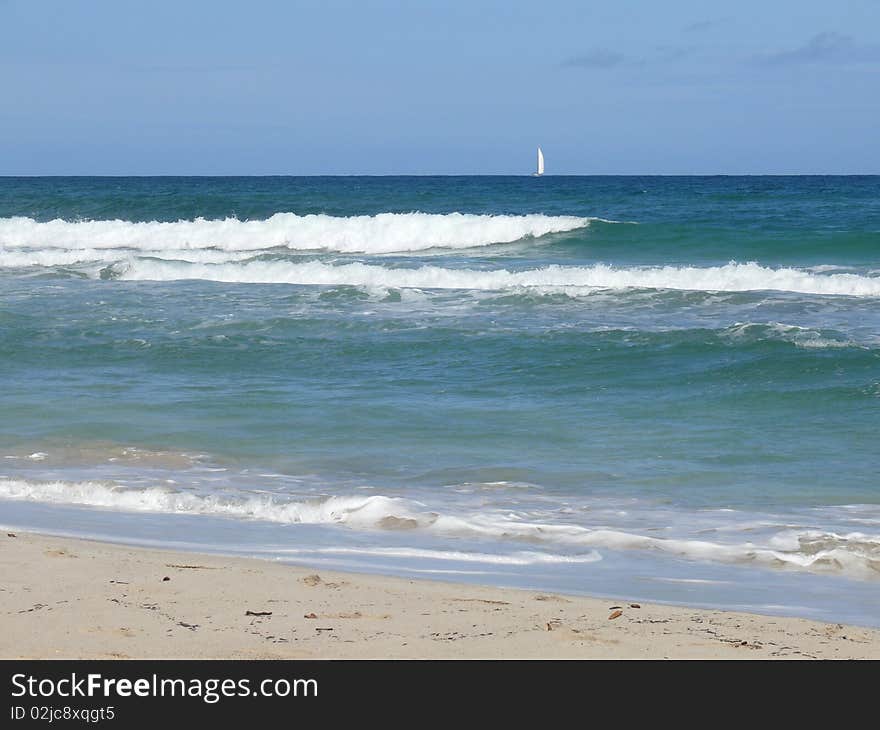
x=564, y=279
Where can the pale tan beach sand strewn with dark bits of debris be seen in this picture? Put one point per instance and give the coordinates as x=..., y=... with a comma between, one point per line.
x=67, y=598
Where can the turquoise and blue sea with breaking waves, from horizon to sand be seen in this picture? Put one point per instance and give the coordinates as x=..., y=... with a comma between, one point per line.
x=660, y=388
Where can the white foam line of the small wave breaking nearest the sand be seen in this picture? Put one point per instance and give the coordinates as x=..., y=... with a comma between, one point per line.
x=854, y=554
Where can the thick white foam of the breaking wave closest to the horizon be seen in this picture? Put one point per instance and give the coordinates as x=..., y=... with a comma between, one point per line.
x=382, y=233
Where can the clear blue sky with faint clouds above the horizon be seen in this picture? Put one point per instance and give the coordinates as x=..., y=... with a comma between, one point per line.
x=217, y=87
